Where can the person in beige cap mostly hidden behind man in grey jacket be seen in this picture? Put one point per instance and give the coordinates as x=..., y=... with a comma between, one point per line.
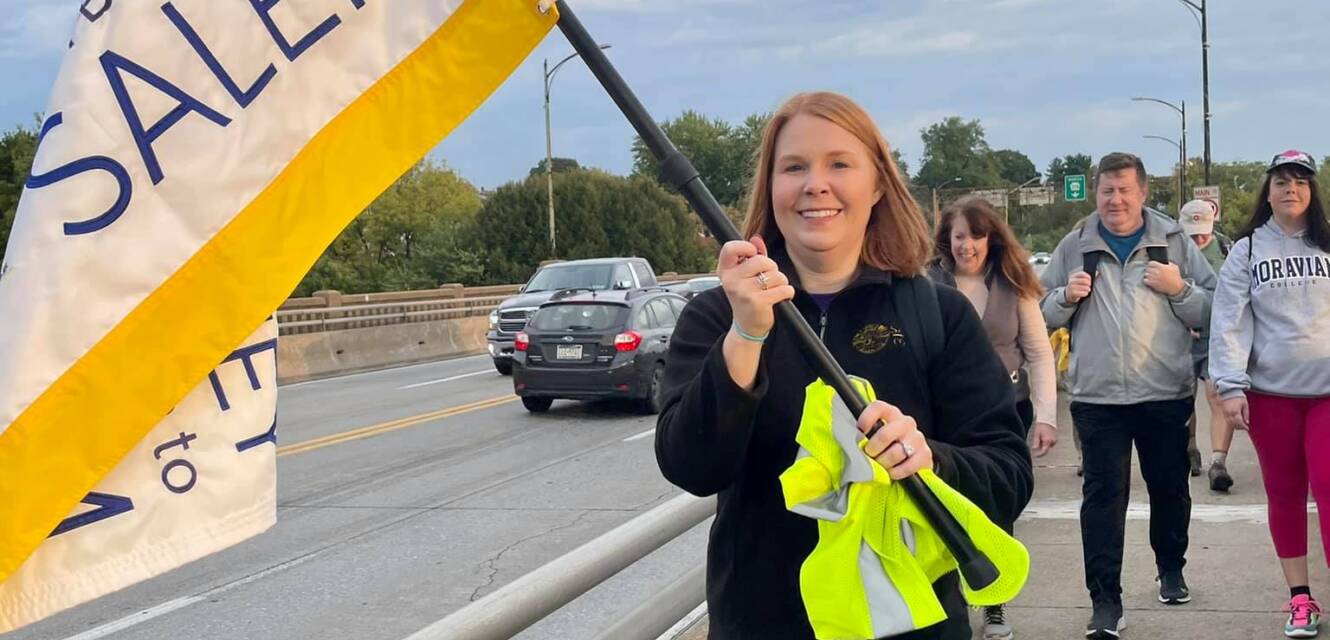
x=1198, y=220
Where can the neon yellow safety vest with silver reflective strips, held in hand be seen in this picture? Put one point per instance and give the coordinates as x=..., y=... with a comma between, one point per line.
x=877, y=557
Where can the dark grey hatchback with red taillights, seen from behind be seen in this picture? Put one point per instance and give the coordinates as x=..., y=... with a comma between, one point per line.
x=586, y=345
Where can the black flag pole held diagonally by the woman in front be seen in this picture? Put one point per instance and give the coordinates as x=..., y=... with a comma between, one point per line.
x=977, y=569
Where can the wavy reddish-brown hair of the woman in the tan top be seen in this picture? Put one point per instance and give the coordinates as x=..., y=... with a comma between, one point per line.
x=1006, y=256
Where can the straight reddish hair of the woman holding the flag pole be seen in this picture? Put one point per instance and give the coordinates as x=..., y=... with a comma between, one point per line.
x=897, y=239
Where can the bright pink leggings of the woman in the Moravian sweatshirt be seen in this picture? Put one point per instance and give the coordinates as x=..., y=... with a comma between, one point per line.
x=1292, y=438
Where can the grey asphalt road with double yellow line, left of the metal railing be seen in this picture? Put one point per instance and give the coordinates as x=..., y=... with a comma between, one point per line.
x=402, y=497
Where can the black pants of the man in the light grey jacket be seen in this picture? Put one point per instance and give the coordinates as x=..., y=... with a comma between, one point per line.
x=1107, y=433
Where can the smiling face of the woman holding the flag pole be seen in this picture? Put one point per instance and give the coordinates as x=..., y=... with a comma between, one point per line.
x=824, y=187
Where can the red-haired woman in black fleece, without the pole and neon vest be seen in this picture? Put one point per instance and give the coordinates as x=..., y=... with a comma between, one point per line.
x=835, y=230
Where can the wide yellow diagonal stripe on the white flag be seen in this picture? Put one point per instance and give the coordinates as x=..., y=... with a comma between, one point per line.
x=82, y=426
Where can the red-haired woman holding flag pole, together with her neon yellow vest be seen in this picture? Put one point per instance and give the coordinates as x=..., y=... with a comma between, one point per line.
x=833, y=228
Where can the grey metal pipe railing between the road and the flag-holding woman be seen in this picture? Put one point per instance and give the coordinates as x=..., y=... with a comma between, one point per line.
x=529, y=599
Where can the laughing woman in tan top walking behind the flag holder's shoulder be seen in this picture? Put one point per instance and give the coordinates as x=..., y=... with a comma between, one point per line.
x=977, y=253
